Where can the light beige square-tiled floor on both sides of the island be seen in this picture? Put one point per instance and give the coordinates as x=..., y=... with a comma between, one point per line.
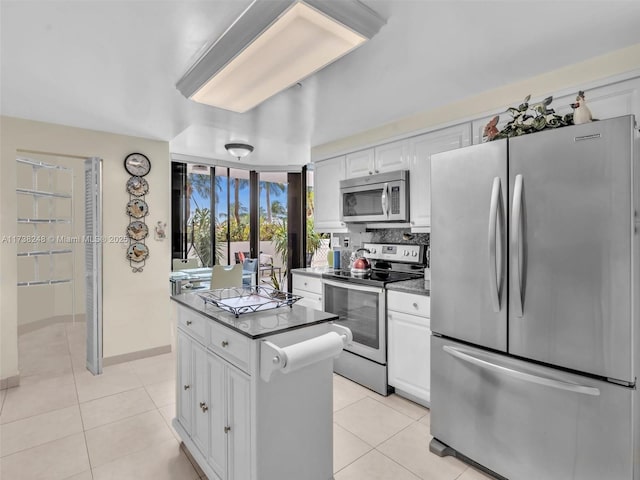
x=64, y=423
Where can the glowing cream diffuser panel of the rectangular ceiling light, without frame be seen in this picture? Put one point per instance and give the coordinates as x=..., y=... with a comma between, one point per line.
x=300, y=42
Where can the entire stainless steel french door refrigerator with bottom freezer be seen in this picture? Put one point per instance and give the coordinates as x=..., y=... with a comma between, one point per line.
x=535, y=308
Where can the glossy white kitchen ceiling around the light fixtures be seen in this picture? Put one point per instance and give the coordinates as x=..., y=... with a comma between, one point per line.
x=112, y=66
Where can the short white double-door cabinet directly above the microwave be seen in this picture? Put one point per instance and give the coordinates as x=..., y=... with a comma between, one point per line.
x=384, y=158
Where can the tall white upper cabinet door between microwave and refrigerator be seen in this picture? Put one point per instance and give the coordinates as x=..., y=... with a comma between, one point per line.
x=420, y=150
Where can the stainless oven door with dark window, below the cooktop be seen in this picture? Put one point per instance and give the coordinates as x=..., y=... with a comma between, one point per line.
x=363, y=310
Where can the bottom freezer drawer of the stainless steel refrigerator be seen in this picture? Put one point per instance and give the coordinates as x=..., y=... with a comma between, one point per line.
x=527, y=422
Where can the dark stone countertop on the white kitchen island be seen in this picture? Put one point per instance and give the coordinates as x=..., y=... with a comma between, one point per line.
x=258, y=324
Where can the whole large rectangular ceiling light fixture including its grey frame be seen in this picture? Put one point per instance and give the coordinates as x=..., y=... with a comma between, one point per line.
x=273, y=45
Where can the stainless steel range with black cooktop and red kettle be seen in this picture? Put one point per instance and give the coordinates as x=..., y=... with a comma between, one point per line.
x=360, y=301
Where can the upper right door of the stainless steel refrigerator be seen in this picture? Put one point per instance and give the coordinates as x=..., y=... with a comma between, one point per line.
x=571, y=231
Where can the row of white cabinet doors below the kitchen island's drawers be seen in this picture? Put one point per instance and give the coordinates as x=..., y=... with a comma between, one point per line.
x=213, y=408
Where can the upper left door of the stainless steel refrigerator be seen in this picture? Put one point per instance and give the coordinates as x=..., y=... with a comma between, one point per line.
x=468, y=244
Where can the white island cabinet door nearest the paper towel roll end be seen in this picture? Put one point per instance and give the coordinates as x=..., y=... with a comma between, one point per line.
x=239, y=423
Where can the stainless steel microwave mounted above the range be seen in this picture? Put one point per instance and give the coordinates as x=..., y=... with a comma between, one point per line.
x=376, y=198
